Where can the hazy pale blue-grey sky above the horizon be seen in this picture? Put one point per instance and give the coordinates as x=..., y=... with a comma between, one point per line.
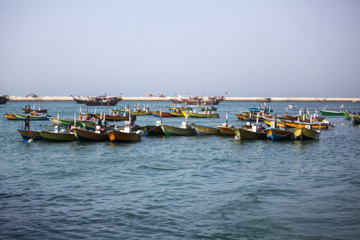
x=305, y=48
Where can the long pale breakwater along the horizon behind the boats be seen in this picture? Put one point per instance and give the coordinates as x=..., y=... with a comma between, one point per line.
x=250, y=99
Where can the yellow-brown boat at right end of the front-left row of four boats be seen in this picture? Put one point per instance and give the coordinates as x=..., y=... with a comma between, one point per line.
x=126, y=135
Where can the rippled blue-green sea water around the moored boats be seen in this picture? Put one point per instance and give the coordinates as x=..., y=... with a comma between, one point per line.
x=199, y=187
